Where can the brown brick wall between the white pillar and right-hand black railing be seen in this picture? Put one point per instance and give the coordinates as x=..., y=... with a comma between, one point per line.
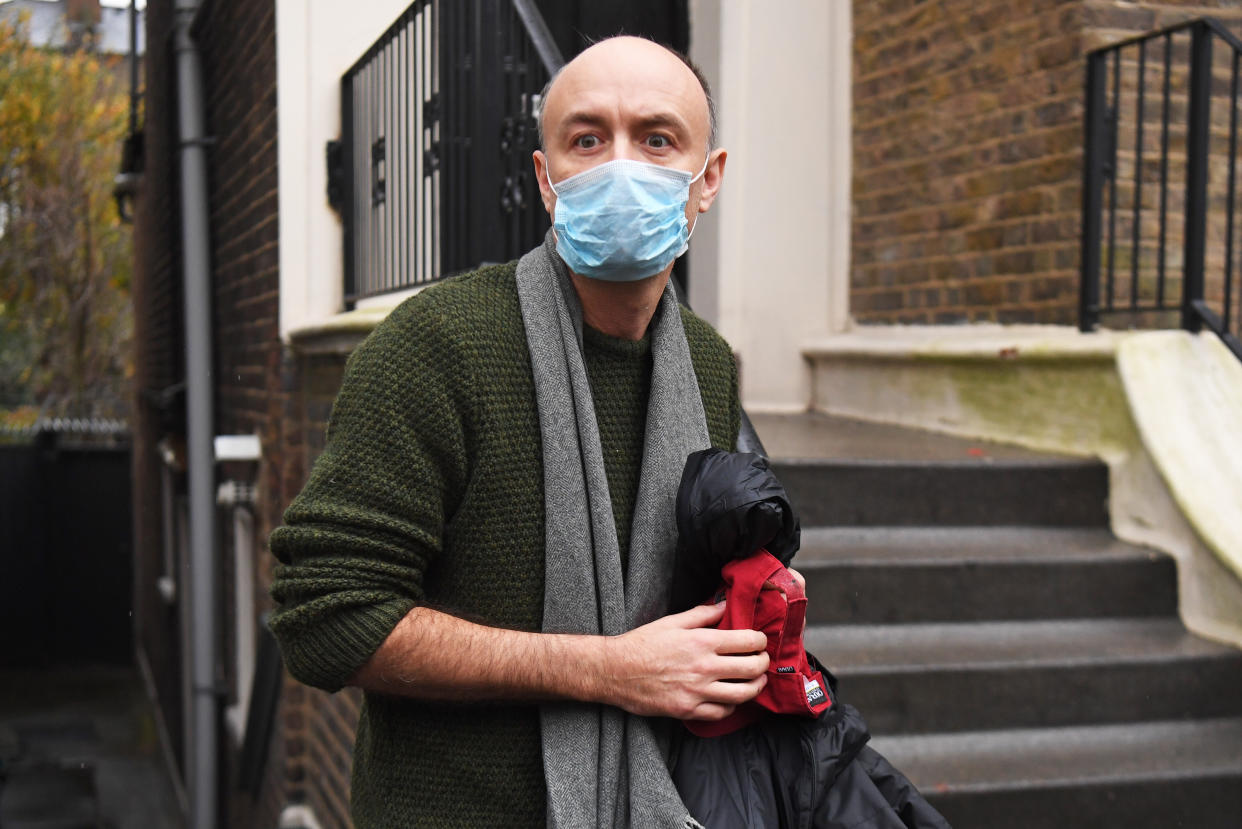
x=968, y=152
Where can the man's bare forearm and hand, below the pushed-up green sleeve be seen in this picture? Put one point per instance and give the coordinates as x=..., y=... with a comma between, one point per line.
x=676, y=667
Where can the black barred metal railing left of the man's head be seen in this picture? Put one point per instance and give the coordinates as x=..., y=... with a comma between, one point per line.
x=433, y=176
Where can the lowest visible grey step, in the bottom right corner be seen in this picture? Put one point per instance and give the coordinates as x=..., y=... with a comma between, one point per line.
x=1171, y=774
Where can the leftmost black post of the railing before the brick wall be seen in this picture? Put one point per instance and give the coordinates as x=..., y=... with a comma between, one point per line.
x=1094, y=191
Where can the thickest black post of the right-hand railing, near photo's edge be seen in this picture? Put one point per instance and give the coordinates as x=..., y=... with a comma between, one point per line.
x=1198, y=139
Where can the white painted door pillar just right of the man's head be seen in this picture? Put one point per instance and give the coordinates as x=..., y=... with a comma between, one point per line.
x=771, y=268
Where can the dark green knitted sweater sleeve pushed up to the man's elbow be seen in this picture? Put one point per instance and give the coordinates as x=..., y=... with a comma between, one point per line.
x=360, y=538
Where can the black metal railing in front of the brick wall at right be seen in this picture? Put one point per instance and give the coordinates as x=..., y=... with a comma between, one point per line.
x=1116, y=175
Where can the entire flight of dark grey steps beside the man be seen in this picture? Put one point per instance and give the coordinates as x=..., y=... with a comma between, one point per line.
x=1023, y=667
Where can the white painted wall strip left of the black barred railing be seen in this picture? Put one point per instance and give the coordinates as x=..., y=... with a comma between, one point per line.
x=316, y=43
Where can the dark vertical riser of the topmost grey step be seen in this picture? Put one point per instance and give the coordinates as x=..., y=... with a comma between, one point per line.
x=1027, y=492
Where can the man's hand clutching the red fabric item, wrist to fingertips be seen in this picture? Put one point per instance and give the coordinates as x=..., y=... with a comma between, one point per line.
x=680, y=667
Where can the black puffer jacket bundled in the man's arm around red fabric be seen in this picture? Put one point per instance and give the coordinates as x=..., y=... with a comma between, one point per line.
x=781, y=772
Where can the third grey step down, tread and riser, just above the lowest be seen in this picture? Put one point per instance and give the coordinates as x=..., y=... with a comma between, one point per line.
x=940, y=678
